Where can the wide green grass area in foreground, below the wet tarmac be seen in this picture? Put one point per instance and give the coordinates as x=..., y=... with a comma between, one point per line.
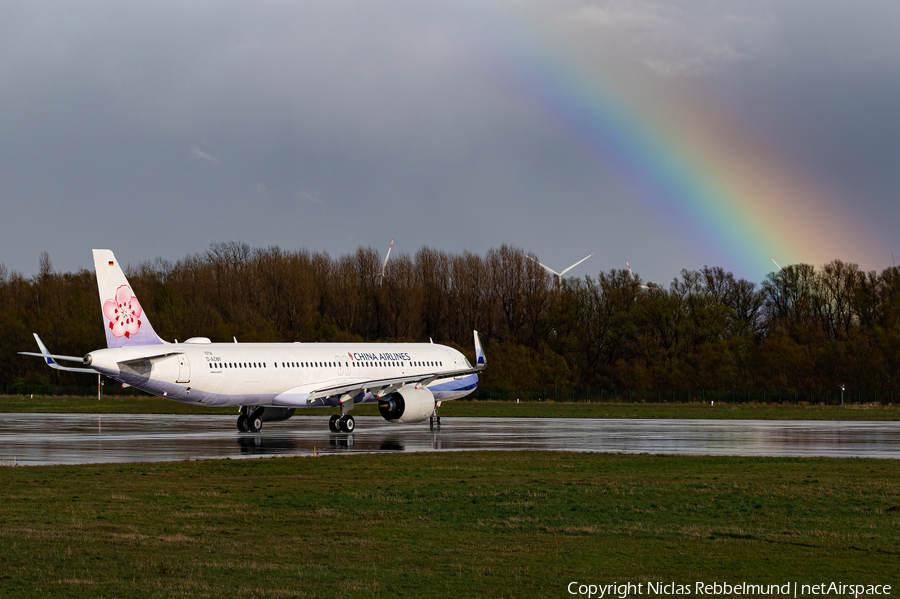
x=507, y=524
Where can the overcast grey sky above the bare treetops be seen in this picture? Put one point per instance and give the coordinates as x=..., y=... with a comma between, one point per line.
x=156, y=128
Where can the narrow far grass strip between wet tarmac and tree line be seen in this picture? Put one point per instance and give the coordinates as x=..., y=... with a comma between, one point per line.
x=155, y=405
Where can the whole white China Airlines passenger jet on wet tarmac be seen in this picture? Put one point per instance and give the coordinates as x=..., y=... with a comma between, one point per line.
x=269, y=381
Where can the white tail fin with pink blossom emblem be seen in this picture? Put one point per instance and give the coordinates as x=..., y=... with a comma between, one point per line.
x=124, y=320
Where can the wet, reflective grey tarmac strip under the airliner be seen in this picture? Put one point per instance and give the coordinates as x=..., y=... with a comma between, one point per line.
x=36, y=439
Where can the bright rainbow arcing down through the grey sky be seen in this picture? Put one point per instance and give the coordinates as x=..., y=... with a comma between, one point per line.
x=736, y=197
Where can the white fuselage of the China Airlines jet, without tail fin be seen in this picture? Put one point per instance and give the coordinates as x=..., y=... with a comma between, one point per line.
x=278, y=374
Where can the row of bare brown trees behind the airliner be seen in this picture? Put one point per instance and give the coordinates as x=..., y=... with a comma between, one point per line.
x=803, y=327
